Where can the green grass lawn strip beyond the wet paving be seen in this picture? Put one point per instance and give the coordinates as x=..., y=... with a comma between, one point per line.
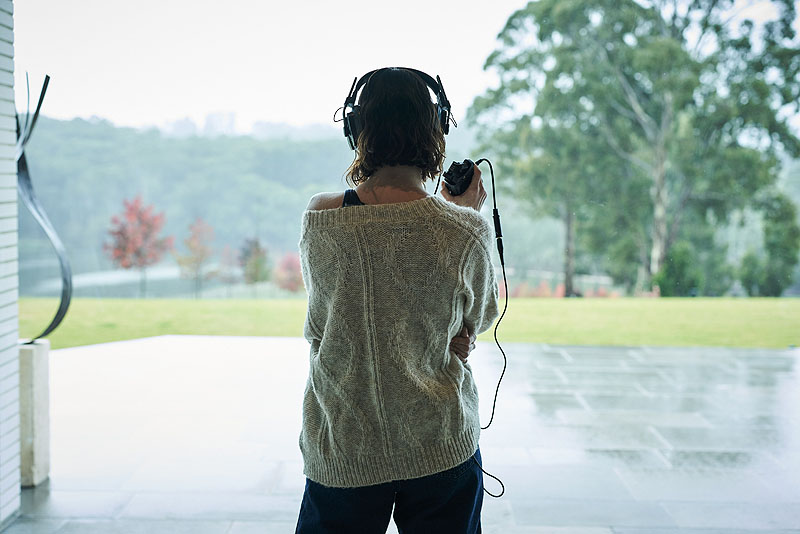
x=768, y=323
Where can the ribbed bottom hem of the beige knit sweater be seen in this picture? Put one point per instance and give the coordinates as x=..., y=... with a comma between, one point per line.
x=377, y=469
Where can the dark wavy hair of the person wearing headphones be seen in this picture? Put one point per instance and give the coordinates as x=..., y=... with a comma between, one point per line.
x=399, y=126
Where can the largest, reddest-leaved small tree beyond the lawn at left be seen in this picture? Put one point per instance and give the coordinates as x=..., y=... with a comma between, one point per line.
x=135, y=243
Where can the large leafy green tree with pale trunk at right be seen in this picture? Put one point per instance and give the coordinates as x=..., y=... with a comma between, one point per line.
x=691, y=97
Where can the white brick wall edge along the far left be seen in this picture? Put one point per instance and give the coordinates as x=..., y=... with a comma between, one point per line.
x=9, y=279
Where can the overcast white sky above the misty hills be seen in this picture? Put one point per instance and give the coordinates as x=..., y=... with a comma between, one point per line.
x=153, y=61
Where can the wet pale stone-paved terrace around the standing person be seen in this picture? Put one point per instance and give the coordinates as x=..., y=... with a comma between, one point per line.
x=194, y=434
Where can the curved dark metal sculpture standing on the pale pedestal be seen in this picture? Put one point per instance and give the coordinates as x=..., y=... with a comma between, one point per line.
x=35, y=207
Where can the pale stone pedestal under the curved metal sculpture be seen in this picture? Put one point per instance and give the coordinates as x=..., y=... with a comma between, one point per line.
x=34, y=406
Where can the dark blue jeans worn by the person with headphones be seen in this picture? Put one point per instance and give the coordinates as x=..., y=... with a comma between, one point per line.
x=448, y=502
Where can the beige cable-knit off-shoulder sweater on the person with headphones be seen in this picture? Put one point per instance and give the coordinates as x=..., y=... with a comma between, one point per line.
x=389, y=285
